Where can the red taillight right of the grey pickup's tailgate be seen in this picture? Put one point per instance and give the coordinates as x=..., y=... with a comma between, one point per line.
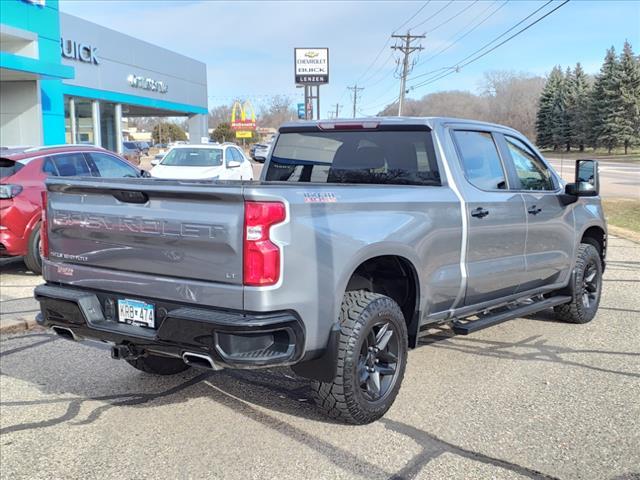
x=261, y=255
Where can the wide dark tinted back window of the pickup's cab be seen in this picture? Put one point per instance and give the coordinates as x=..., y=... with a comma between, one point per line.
x=370, y=157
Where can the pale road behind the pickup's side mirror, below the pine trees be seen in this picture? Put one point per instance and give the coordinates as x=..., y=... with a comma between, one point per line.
x=617, y=179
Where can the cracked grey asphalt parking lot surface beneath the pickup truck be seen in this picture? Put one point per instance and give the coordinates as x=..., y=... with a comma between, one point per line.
x=531, y=398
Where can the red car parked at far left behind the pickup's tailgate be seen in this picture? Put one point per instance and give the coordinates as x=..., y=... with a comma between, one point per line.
x=22, y=175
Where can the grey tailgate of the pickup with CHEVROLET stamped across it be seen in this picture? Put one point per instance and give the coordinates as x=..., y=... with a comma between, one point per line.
x=181, y=230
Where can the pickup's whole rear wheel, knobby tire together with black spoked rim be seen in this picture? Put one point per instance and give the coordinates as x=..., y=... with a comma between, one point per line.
x=372, y=354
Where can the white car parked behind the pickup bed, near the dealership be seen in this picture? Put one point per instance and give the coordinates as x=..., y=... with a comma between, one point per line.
x=197, y=162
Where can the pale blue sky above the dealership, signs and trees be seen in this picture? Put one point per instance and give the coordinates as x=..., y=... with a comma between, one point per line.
x=248, y=46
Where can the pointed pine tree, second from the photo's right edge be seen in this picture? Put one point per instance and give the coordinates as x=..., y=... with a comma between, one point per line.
x=607, y=106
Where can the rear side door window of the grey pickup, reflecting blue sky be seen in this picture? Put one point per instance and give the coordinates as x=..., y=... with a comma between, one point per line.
x=480, y=159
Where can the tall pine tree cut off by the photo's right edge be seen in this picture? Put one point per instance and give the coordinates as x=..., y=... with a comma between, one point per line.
x=630, y=97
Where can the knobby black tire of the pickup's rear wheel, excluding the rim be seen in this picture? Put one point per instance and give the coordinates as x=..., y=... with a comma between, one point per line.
x=342, y=398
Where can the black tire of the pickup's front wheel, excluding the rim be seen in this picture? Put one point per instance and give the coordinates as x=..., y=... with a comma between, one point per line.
x=575, y=311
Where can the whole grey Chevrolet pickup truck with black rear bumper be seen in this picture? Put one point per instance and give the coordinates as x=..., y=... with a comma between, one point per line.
x=359, y=236
